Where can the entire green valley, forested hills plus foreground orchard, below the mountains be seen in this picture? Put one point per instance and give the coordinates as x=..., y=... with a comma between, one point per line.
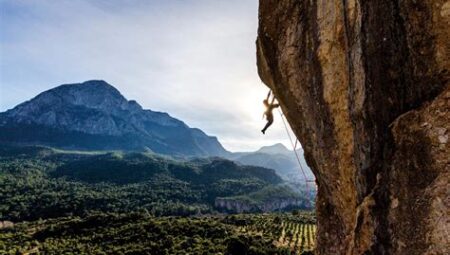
x=130, y=203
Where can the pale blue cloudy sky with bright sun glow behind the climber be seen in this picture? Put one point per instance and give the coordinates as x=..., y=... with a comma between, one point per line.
x=194, y=59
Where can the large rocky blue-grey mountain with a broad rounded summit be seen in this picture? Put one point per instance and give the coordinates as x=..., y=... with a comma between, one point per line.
x=94, y=115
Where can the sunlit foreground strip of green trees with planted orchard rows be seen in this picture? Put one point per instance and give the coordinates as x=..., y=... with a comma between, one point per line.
x=141, y=233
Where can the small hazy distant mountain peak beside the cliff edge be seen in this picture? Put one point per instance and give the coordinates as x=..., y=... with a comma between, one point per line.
x=279, y=158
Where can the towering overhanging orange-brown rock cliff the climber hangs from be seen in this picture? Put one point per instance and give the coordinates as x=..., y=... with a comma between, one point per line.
x=364, y=84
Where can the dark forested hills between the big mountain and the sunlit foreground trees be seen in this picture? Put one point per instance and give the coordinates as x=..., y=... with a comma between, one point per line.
x=41, y=183
